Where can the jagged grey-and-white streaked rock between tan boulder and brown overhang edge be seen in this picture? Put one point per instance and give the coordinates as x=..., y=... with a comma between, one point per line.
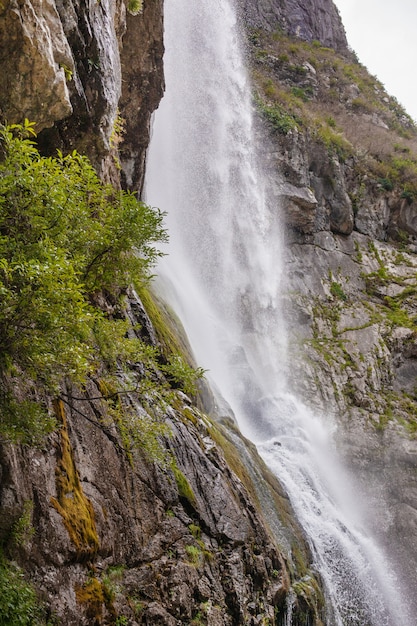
x=93, y=32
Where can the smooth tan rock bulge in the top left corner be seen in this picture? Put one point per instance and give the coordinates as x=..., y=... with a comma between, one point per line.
x=34, y=56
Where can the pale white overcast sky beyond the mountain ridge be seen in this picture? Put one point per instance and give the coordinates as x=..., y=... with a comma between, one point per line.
x=383, y=33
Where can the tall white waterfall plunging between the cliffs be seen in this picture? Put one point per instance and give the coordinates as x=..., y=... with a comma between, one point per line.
x=222, y=275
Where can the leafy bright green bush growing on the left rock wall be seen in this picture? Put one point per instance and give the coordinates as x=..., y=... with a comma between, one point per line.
x=64, y=237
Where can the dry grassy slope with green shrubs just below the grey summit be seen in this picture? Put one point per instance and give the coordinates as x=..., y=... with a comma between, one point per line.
x=336, y=102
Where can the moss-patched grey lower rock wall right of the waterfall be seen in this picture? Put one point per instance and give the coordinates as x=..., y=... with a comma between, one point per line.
x=354, y=341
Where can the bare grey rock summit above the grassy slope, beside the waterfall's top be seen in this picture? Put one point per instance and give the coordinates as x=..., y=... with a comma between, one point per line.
x=308, y=19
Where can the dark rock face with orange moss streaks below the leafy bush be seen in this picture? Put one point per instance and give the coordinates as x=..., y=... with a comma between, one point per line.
x=169, y=536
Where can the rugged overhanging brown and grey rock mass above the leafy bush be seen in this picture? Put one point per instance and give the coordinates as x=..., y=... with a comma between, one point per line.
x=66, y=66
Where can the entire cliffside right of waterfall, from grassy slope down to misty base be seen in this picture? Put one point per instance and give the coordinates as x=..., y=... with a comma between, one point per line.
x=342, y=159
